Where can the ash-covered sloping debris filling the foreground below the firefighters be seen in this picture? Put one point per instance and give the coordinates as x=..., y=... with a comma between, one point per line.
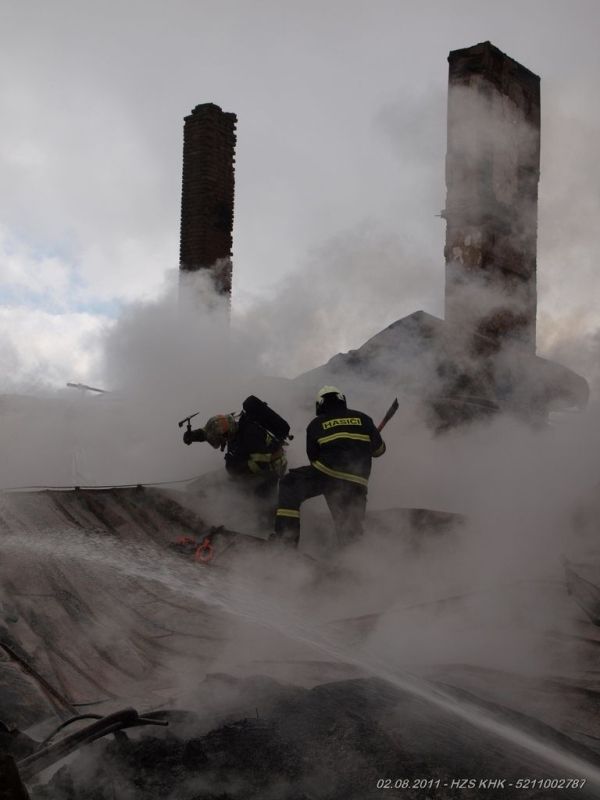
x=282, y=675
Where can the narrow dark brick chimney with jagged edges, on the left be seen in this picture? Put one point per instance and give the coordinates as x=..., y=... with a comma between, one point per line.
x=207, y=194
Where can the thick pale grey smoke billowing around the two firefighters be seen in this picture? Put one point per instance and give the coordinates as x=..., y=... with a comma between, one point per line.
x=515, y=488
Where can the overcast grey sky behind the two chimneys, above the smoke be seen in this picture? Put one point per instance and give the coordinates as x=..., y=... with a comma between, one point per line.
x=341, y=130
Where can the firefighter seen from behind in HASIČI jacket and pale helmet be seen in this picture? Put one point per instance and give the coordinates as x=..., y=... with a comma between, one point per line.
x=340, y=443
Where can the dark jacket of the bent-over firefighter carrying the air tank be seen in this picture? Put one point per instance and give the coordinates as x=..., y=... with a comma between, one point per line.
x=253, y=451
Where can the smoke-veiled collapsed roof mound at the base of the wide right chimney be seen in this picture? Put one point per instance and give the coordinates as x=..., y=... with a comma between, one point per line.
x=425, y=358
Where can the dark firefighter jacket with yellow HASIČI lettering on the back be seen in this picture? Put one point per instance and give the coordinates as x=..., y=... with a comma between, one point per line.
x=341, y=444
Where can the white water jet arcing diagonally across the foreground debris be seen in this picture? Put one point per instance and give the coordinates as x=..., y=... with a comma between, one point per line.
x=245, y=598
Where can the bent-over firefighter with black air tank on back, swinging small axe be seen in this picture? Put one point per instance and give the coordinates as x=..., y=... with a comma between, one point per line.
x=253, y=441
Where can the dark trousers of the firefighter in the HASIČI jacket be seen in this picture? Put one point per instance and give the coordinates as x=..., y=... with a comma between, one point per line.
x=347, y=503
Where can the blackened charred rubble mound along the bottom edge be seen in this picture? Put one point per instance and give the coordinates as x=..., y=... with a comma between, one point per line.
x=337, y=740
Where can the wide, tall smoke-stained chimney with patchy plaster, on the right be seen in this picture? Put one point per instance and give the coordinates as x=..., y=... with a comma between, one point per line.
x=492, y=173
